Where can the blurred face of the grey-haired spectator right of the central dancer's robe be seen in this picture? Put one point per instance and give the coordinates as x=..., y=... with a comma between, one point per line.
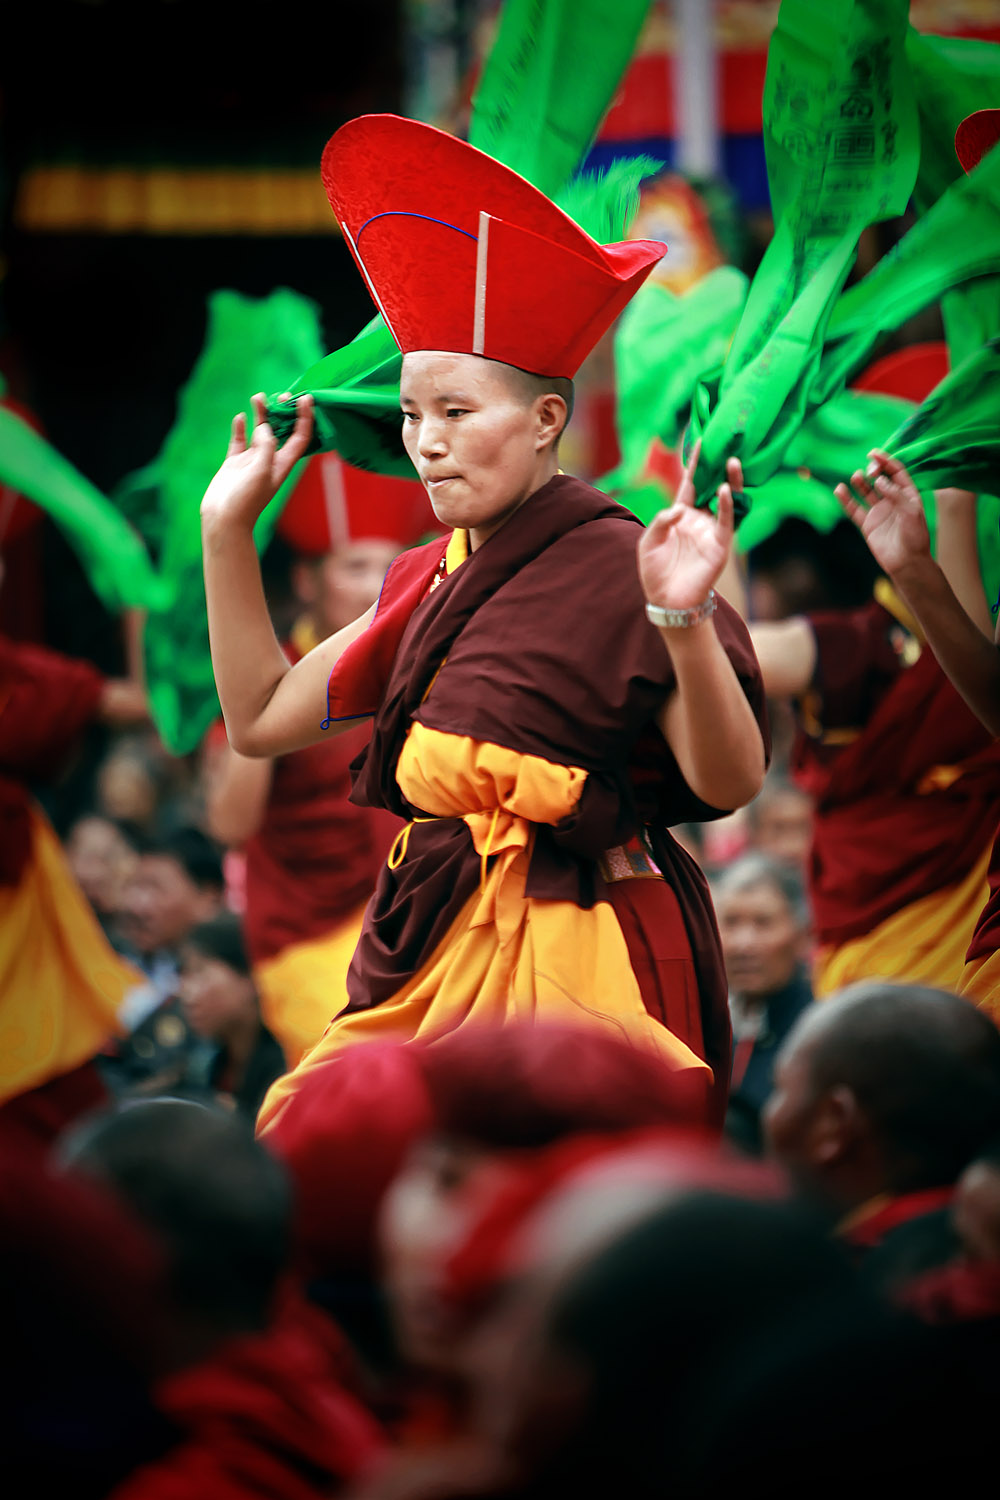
x=762, y=940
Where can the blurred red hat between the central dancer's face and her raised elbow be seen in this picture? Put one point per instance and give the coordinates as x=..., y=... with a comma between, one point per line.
x=335, y=505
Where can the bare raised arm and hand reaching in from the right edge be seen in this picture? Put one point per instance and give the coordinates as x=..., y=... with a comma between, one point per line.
x=887, y=509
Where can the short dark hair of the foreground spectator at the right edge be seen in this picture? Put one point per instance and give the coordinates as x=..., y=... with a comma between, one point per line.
x=923, y=1064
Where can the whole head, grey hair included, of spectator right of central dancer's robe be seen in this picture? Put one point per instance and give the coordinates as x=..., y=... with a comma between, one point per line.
x=764, y=923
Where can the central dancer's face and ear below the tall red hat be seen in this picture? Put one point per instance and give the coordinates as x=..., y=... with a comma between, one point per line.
x=481, y=449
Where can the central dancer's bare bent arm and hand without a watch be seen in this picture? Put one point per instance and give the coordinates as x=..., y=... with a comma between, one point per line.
x=269, y=707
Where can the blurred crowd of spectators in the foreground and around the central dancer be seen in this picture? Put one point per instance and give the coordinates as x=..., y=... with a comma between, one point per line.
x=510, y=1264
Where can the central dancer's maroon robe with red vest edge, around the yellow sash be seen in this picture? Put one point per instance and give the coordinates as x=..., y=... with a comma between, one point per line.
x=548, y=652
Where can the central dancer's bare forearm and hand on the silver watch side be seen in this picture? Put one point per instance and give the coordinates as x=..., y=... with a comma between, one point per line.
x=707, y=719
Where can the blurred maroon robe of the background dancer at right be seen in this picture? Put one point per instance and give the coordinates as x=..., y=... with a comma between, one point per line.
x=906, y=779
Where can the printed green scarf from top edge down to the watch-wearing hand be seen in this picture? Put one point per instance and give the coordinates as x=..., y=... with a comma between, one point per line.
x=842, y=146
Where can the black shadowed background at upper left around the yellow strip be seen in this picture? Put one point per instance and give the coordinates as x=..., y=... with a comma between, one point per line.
x=98, y=332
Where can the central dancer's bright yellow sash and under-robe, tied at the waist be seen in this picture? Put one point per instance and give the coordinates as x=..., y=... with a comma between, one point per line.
x=506, y=956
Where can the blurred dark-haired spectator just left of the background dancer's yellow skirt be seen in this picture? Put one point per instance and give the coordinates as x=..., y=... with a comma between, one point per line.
x=220, y=1003
